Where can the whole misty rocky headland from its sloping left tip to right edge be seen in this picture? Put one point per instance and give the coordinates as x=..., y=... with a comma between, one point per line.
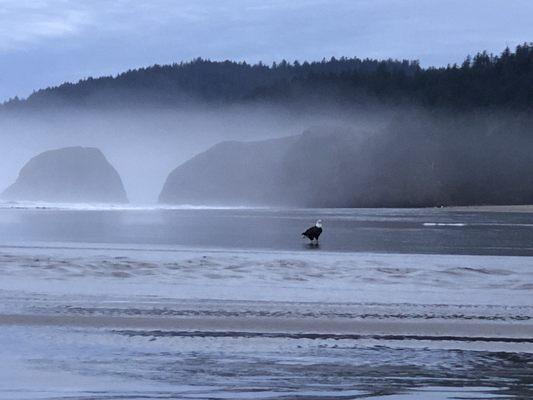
x=410, y=164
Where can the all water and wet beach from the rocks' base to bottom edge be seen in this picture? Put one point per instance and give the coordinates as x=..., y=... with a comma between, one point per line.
x=109, y=302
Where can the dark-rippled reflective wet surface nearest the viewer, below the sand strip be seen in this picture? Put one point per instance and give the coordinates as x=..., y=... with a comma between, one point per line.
x=101, y=364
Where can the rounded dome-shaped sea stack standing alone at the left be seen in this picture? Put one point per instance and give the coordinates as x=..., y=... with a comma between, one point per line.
x=71, y=174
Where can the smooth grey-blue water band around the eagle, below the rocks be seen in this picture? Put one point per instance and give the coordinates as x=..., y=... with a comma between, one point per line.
x=432, y=230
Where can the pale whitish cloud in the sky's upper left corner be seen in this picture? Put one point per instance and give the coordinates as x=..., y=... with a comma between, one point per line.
x=24, y=23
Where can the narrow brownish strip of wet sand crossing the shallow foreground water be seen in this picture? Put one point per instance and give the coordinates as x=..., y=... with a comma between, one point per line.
x=517, y=332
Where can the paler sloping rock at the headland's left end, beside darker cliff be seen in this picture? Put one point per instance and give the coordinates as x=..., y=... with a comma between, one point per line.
x=229, y=173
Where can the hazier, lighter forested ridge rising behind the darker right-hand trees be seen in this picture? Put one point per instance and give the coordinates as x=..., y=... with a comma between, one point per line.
x=202, y=81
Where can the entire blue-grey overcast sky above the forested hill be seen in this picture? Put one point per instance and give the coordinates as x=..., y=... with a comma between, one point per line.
x=46, y=42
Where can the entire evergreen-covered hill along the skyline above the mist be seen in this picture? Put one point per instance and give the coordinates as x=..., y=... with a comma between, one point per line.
x=485, y=80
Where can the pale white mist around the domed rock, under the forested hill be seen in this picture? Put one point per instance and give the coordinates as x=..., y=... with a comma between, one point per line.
x=145, y=145
